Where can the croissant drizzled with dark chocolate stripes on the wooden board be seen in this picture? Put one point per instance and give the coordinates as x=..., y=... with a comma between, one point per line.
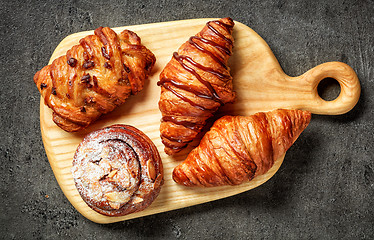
x=195, y=83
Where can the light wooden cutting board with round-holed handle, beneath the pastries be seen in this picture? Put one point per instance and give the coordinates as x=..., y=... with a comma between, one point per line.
x=259, y=81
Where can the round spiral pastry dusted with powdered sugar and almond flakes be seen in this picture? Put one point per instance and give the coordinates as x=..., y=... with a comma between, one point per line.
x=117, y=170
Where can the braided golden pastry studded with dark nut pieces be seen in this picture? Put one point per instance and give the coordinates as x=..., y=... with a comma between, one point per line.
x=94, y=77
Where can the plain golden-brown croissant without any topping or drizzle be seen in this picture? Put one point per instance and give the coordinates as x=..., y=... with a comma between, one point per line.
x=237, y=148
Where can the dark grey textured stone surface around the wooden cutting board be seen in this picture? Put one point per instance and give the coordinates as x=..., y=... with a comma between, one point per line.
x=324, y=189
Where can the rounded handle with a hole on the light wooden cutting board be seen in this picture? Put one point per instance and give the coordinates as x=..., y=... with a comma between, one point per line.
x=349, y=88
